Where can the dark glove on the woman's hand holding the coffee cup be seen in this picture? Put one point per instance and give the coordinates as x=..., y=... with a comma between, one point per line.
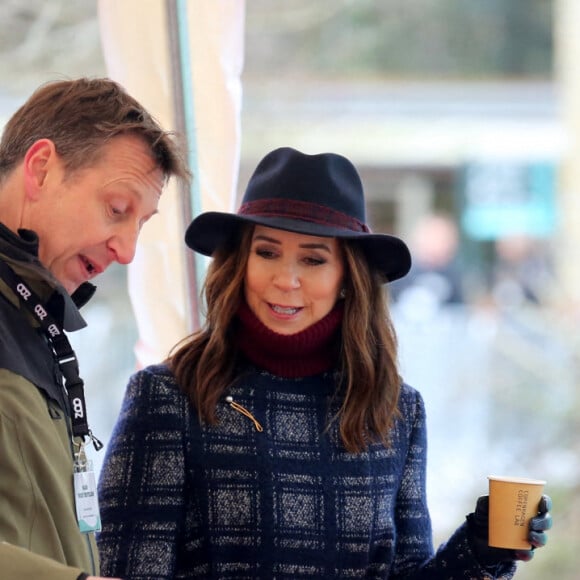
x=478, y=527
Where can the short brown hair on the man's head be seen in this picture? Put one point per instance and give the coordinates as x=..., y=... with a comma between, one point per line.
x=80, y=117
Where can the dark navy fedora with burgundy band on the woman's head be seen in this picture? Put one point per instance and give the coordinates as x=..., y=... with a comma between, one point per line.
x=319, y=195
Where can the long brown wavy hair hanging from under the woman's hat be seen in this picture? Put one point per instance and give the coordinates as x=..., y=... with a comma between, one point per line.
x=204, y=364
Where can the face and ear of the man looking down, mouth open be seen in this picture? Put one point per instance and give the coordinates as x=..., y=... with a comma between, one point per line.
x=93, y=218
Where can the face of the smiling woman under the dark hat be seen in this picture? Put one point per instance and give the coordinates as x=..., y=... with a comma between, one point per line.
x=292, y=280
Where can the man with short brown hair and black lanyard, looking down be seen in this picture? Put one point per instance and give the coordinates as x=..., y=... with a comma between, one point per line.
x=82, y=166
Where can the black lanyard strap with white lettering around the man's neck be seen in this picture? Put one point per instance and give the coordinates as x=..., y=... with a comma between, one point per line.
x=61, y=350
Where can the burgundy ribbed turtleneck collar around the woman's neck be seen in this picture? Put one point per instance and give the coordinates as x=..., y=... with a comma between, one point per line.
x=305, y=353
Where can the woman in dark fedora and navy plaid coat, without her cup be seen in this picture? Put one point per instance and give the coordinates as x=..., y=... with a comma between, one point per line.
x=279, y=440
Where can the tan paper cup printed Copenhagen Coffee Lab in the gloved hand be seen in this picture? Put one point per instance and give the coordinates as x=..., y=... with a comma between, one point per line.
x=513, y=502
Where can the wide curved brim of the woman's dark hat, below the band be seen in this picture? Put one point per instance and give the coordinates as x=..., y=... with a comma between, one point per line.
x=210, y=230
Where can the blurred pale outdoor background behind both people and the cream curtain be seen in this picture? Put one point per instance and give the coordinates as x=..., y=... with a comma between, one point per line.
x=463, y=120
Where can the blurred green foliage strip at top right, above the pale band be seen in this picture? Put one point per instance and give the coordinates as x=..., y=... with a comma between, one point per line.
x=427, y=39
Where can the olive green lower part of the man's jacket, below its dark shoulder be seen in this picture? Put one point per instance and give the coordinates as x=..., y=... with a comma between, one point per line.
x=37, y=509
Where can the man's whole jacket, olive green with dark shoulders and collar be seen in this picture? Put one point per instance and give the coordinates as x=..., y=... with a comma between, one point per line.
x=39, y=534
